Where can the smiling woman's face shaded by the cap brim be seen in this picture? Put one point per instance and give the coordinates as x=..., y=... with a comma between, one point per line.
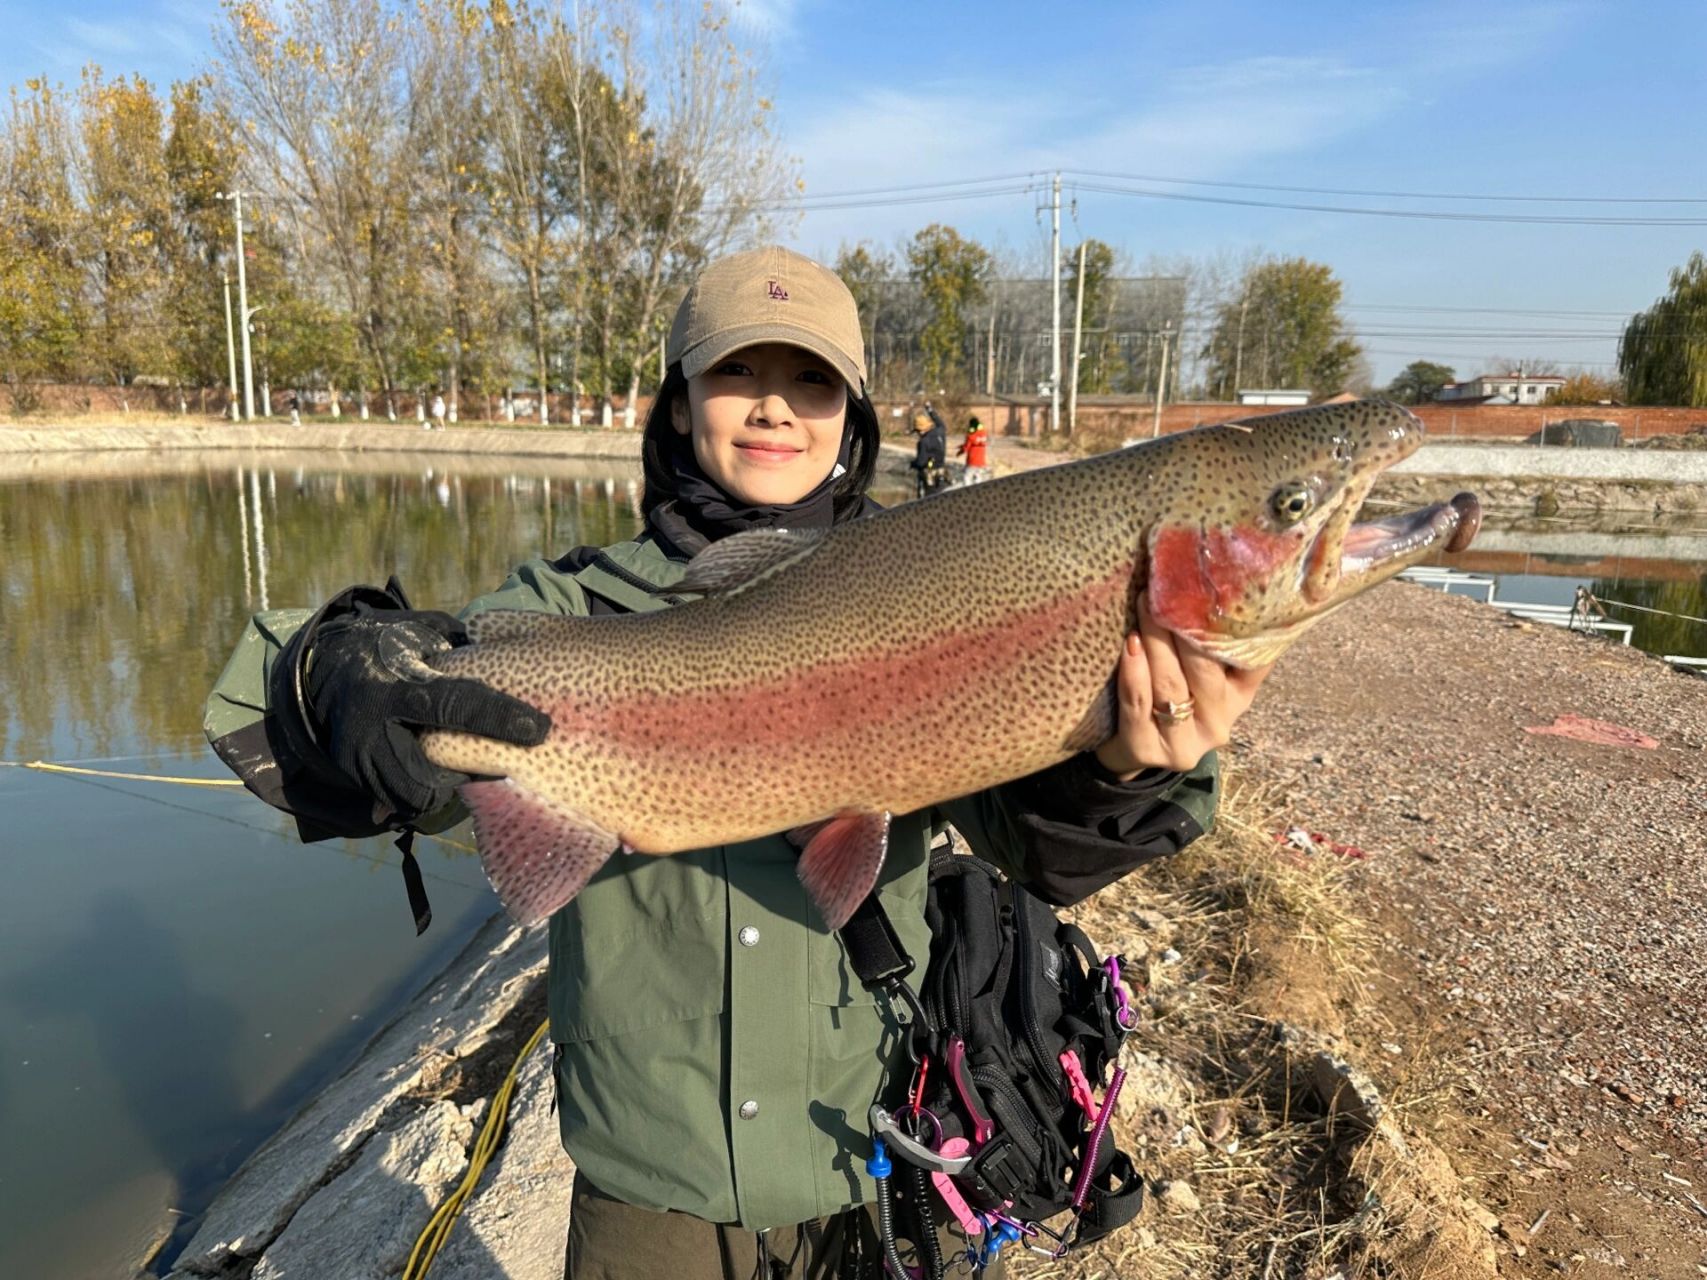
x=766, y=422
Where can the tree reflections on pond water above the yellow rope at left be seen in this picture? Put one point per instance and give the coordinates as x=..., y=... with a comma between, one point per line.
x=124, y=596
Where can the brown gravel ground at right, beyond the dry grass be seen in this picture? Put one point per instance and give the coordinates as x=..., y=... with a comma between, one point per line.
x=1546, y=899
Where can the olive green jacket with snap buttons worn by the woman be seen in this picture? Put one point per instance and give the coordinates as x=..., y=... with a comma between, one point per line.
x=716, y=1052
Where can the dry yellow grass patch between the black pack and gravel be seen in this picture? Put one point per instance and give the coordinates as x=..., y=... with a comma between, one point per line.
x=1254, y=962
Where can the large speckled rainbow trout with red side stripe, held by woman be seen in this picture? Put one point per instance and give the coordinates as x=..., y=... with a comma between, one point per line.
x=829, y=680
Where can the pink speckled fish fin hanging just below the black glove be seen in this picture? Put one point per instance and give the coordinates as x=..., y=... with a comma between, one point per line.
x=535, y=854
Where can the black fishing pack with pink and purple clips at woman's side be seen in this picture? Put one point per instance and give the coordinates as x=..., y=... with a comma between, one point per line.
x=1001, y=1129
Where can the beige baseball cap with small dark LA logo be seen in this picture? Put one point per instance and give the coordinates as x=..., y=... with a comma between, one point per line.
x=769, y=296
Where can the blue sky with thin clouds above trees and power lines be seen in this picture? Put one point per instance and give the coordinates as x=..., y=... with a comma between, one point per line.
x=1573, y=98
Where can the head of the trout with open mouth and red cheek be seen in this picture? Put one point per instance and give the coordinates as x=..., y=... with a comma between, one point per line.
x=1259, y=537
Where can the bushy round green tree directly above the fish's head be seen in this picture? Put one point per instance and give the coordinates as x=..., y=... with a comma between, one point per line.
x=1283, y=330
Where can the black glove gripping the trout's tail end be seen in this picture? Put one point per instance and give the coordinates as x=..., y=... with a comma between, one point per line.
x=371, y=692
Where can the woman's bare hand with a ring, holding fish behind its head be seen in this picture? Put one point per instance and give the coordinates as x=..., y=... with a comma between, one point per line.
x=1156, y=672
